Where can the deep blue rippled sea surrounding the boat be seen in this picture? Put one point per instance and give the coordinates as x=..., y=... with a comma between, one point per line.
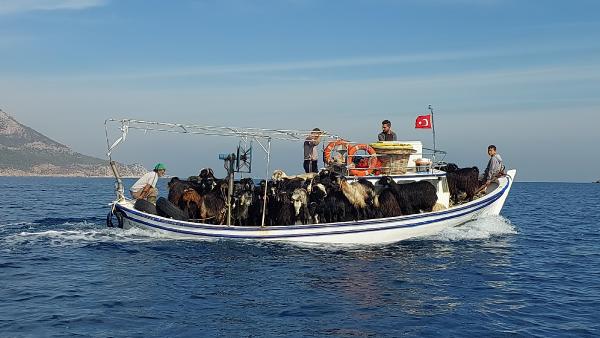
x=533, y=272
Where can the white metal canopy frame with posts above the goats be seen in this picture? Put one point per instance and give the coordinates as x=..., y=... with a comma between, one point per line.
x=260, y=135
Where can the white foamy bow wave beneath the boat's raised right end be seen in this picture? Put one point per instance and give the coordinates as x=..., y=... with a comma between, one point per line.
x=482, y=228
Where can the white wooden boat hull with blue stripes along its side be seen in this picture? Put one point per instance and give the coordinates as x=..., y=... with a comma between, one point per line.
x=372, y=231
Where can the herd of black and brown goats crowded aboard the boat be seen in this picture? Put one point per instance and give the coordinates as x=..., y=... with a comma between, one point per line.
x=323, y=197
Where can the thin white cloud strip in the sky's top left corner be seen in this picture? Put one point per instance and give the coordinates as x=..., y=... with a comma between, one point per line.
x=18, y=6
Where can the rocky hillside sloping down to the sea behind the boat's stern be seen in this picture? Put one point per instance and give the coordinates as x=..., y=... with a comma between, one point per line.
x=25, y=152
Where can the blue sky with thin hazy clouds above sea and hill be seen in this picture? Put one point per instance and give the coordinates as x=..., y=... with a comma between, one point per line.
x=521, y=74
